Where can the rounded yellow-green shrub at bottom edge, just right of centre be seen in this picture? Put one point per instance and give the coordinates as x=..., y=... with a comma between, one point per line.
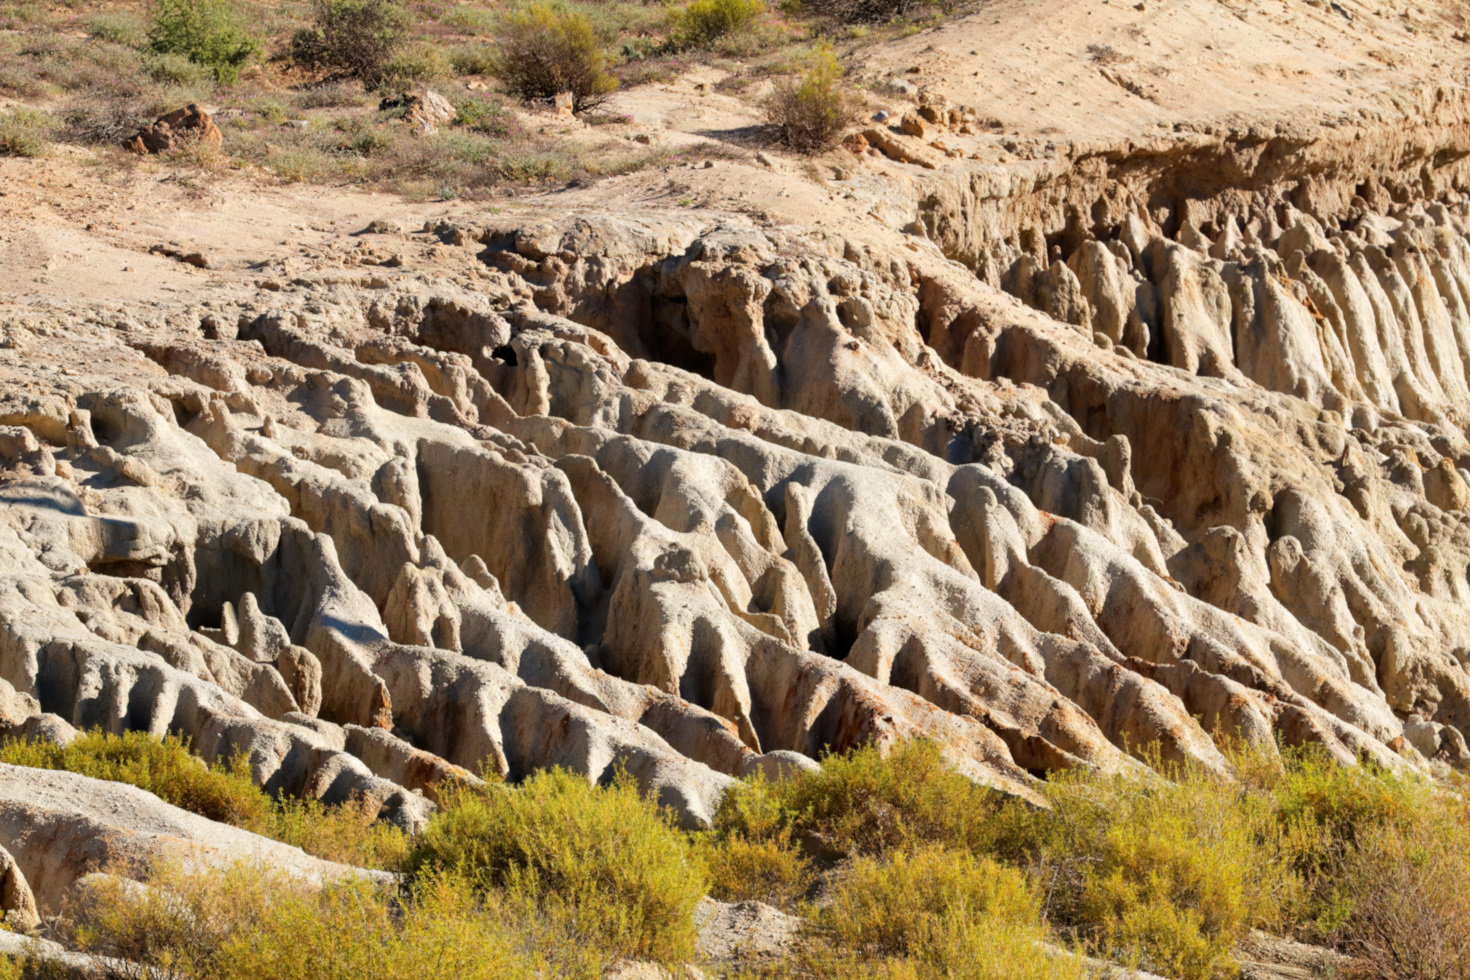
x=946, y=912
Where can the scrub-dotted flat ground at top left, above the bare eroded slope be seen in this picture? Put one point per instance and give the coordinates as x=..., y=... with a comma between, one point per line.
x=312, y=93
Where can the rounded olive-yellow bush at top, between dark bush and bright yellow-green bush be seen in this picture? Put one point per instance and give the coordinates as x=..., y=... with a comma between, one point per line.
x=546, y=51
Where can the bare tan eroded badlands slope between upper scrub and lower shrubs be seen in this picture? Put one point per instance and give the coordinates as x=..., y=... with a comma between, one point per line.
x=1056, y=428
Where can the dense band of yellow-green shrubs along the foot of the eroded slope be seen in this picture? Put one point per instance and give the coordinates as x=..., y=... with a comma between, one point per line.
x=896, y=868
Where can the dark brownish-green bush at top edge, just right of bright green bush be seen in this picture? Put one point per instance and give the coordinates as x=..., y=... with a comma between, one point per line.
x=358, y=37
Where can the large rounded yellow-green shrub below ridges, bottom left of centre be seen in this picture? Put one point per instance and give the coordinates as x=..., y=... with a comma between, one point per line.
x=599, y=857
